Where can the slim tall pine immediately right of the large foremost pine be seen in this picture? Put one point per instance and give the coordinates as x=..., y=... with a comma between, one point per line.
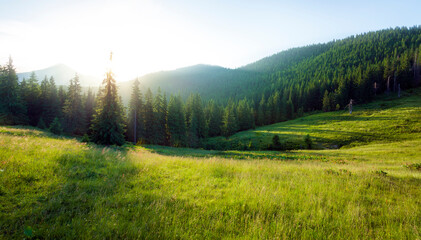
x=135, y=128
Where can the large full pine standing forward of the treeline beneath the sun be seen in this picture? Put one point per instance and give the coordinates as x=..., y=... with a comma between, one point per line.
x=108, y=122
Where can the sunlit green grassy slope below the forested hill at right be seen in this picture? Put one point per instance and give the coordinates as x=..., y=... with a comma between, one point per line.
x=388, y=119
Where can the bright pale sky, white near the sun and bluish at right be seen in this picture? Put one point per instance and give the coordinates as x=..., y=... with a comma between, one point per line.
x=147, y=36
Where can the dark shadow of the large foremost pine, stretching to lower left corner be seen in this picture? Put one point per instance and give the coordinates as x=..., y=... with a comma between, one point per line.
x=85, y=178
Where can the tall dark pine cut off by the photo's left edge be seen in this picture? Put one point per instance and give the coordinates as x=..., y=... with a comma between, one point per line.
x=12, y=108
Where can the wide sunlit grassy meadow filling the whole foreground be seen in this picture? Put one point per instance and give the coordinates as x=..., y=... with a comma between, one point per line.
x=58, y=188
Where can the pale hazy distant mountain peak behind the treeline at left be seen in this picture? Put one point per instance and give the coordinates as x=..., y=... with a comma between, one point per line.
x=62, y=75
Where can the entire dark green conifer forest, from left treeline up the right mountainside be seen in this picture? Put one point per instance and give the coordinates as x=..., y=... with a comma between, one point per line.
x=277, y=88
